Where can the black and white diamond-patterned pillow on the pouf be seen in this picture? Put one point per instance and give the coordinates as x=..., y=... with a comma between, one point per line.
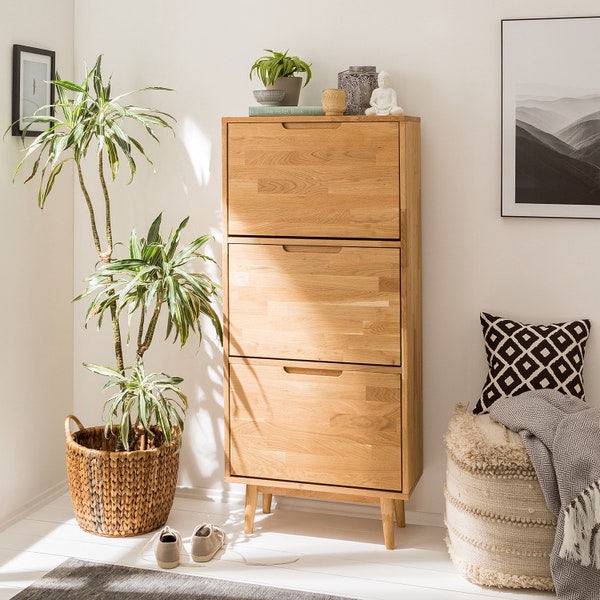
x=525, y=357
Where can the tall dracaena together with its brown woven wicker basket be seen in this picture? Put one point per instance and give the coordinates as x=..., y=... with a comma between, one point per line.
x=123, y=474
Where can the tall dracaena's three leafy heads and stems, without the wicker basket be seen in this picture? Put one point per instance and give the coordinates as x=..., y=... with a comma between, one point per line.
x=89, y=124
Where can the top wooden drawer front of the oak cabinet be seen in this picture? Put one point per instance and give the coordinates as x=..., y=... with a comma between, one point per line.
x=322, y=179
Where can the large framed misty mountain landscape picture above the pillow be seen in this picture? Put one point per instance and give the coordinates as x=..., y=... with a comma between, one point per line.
x=551, y=117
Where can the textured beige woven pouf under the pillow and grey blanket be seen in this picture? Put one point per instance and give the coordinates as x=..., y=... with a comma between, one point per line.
x=500, y=532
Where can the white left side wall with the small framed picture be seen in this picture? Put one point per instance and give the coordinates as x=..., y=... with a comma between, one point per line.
x=36, y=317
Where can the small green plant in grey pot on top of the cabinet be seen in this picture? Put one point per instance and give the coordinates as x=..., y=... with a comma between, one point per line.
x=280, y=71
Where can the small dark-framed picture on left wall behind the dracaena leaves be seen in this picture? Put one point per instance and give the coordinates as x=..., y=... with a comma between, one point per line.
x=33, y=91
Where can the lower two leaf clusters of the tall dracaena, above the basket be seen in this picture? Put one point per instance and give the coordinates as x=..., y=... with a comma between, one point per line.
x=152, y=277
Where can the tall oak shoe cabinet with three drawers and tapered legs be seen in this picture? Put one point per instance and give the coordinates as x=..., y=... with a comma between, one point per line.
x=322, y=309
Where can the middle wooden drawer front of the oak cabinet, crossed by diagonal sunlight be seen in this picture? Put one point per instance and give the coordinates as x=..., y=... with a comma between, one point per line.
x=311, y=302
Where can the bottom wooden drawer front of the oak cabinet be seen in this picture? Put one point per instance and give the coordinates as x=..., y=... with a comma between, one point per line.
x=333, y=424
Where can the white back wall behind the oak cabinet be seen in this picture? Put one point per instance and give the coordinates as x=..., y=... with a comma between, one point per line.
x=444, y=59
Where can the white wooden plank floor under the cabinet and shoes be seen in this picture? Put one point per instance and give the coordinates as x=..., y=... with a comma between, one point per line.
x=335, y=554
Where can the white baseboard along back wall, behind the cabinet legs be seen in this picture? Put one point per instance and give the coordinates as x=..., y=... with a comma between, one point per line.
x=351, y=509
